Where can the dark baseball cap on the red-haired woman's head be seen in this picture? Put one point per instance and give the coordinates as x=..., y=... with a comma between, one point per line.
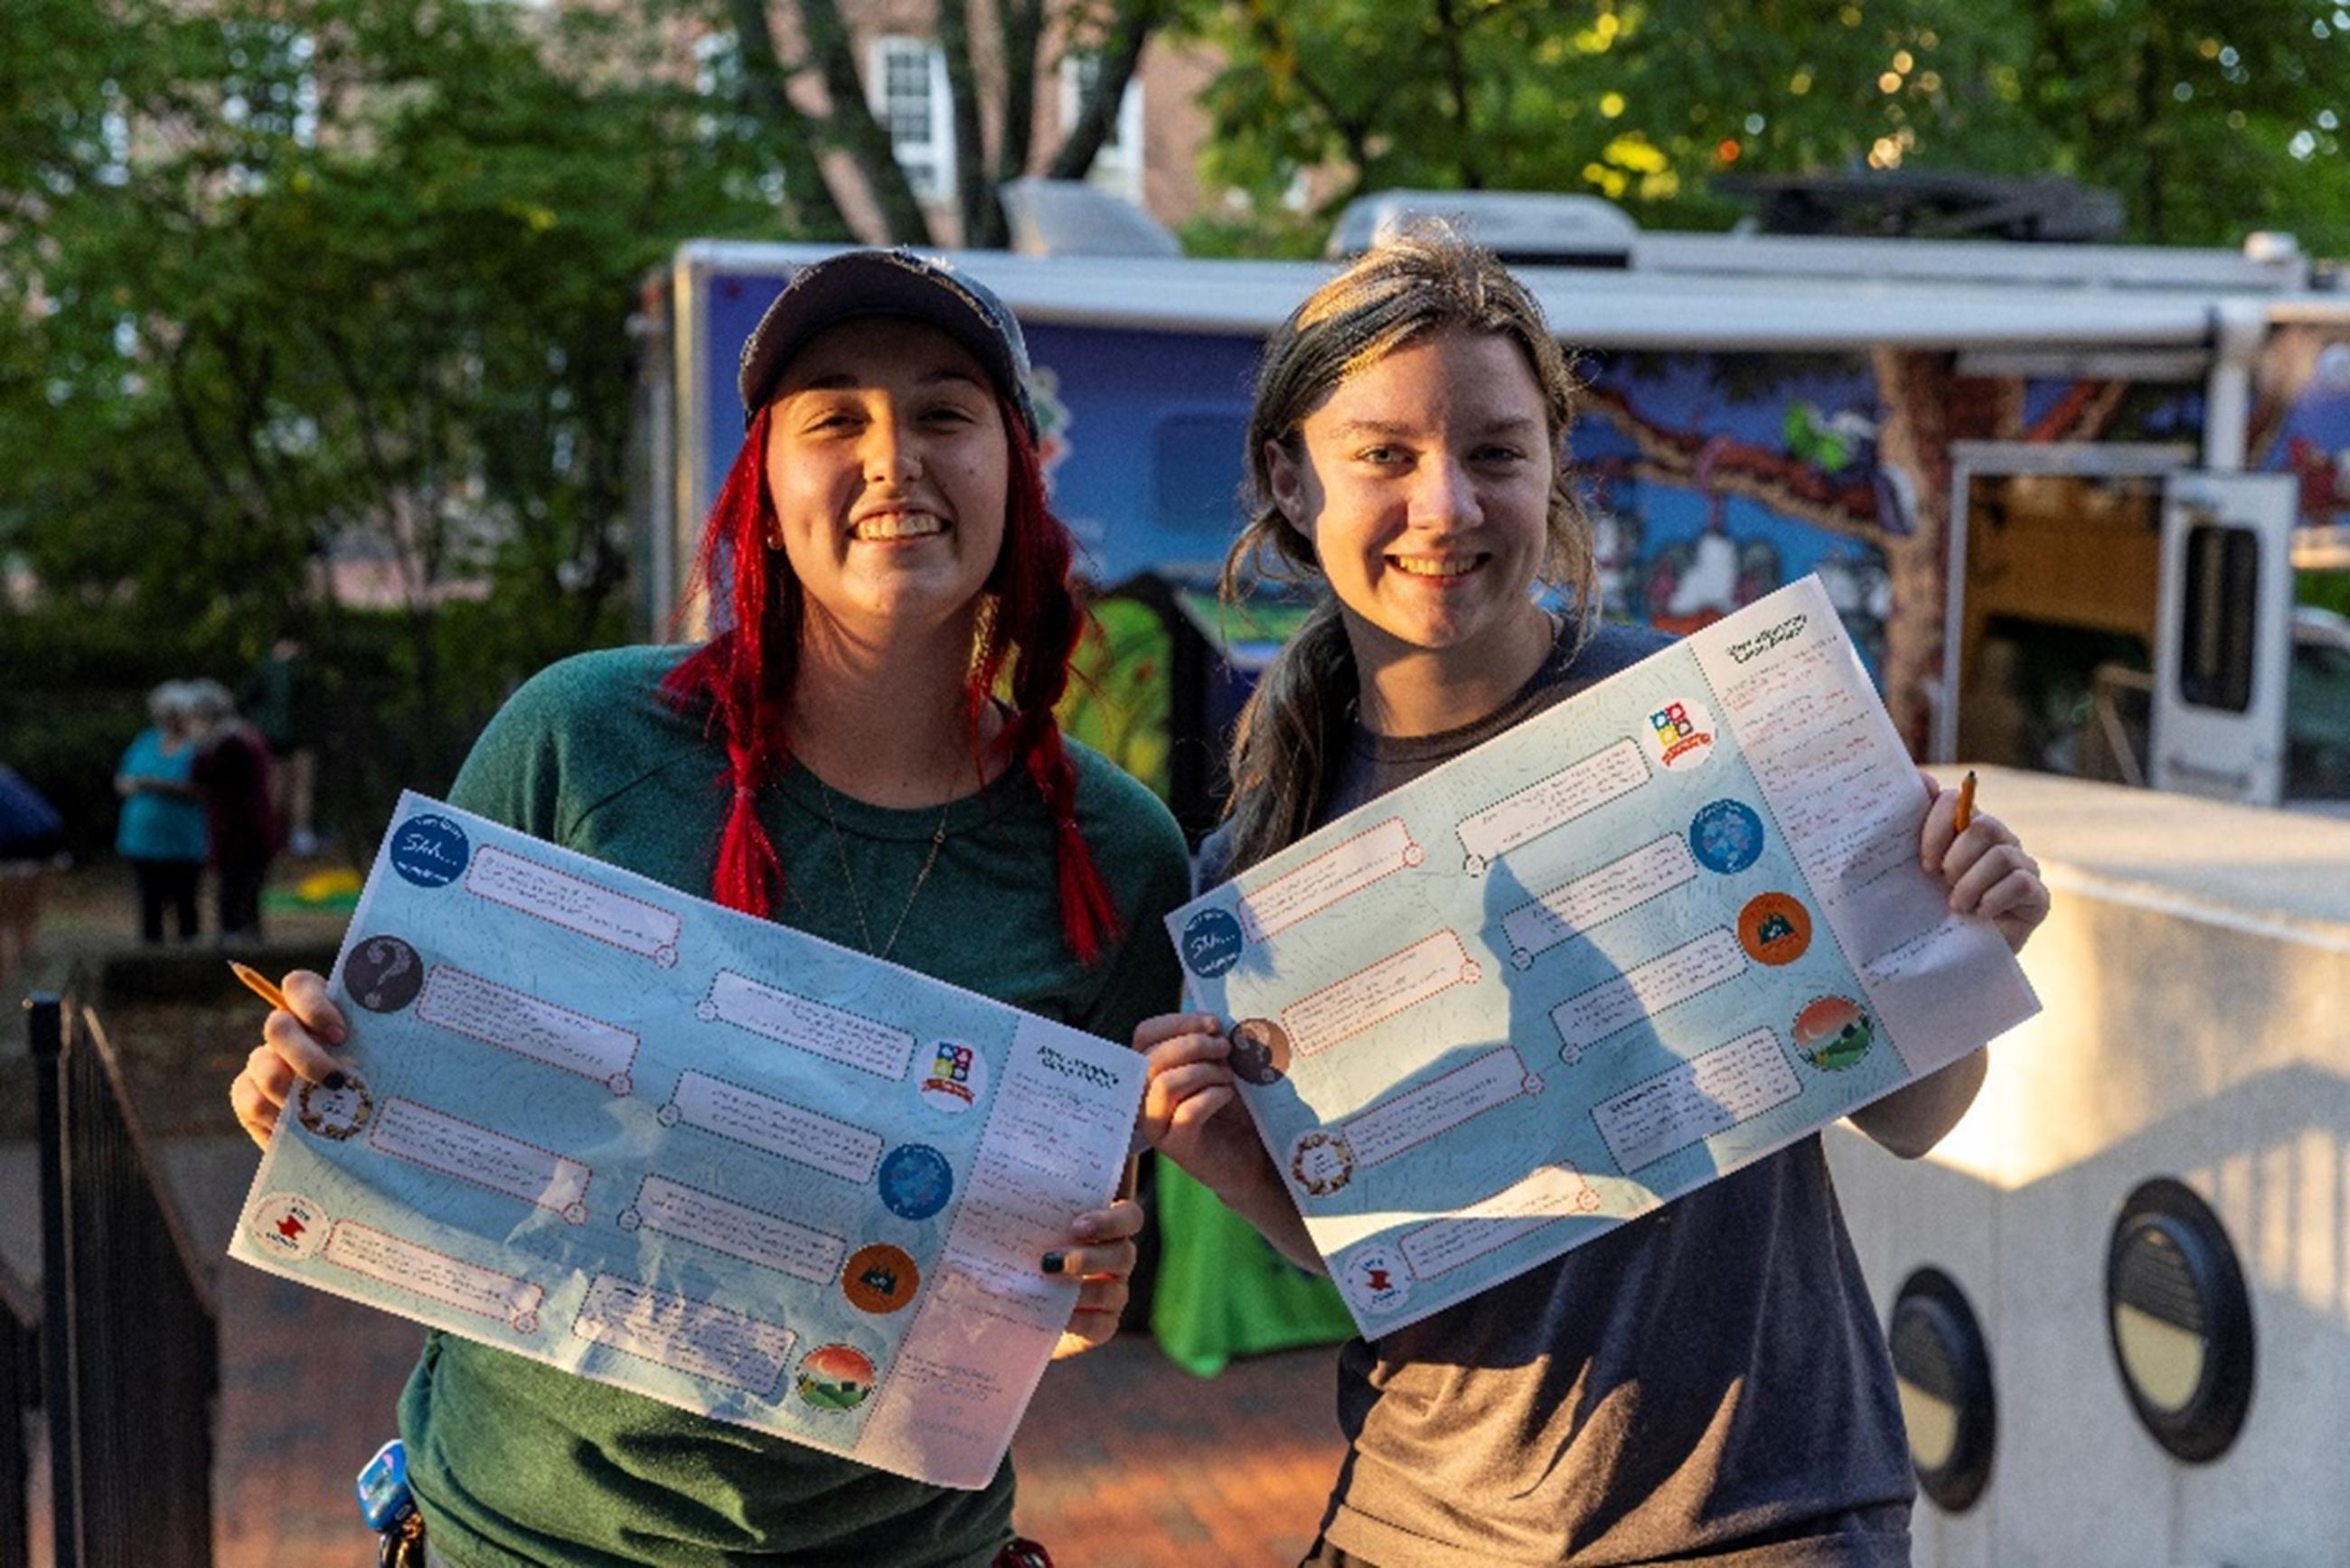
x=887, y=283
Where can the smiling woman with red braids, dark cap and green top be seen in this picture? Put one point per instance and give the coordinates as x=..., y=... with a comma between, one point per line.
x=864, y=751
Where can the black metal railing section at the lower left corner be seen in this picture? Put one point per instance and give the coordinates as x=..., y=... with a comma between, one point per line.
x=128, y=1327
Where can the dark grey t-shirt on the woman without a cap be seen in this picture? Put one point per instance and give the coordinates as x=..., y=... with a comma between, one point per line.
x=1707, y=1383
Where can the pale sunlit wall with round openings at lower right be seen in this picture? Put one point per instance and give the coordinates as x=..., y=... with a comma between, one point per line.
x=2196, y=1028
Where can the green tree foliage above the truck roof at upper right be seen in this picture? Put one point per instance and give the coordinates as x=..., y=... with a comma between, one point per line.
x=2205, y=119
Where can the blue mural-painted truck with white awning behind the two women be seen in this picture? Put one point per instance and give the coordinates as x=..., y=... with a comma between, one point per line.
x=2060, y=492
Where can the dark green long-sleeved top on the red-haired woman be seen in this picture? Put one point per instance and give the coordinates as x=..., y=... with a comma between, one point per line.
x=523, y=1463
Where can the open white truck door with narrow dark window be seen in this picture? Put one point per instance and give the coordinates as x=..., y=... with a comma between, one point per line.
x=2224, y=636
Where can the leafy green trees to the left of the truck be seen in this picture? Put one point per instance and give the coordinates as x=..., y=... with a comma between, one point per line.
x=290, y=283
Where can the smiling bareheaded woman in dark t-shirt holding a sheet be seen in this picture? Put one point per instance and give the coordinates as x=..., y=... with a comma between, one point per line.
x=1698, y=1386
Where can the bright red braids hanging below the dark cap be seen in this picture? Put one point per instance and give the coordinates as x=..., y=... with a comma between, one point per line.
x=744, y=676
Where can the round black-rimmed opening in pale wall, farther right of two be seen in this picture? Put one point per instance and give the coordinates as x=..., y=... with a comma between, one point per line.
x=2180, y=1320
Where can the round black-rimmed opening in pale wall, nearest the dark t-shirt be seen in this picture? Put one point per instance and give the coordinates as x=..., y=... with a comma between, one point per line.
x=1942, y=1372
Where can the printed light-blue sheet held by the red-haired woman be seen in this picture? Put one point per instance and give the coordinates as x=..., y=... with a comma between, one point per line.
x=690, y=1153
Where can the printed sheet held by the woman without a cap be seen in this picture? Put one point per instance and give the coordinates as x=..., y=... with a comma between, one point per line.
x=1630, y=946
